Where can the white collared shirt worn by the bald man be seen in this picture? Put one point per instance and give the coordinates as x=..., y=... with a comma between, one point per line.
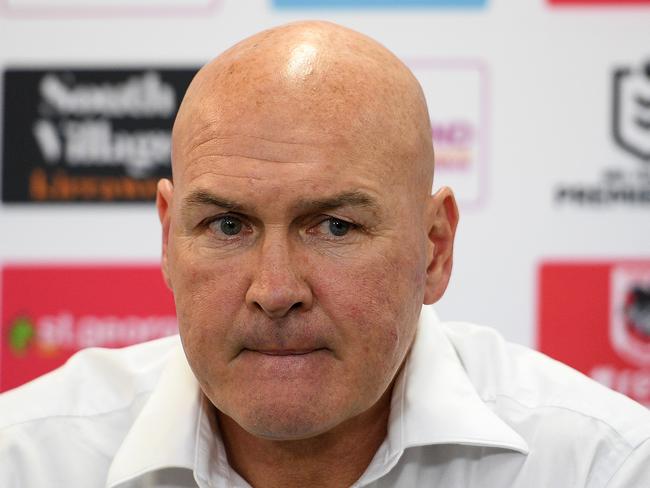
x=468, y=410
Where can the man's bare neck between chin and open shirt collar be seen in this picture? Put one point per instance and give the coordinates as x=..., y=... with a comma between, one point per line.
x=334, y=459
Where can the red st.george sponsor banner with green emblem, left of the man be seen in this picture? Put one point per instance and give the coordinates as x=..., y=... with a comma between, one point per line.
x=51, y=312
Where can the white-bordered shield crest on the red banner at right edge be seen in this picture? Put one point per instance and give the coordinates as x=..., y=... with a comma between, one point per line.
x=630, y=313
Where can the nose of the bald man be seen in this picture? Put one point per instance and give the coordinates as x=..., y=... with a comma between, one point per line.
x=277, y=286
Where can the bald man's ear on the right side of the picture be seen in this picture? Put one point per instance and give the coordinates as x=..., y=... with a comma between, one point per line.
x=442, y=220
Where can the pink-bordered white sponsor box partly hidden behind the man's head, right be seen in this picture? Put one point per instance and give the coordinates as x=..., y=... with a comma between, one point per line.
x=456, y=93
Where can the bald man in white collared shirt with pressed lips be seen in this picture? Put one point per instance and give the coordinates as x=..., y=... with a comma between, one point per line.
x=301, y=240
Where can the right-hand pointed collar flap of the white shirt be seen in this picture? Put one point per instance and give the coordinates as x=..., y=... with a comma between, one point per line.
x=434, y=401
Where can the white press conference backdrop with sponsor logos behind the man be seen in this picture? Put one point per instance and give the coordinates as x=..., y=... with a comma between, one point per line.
x=541, y=122
